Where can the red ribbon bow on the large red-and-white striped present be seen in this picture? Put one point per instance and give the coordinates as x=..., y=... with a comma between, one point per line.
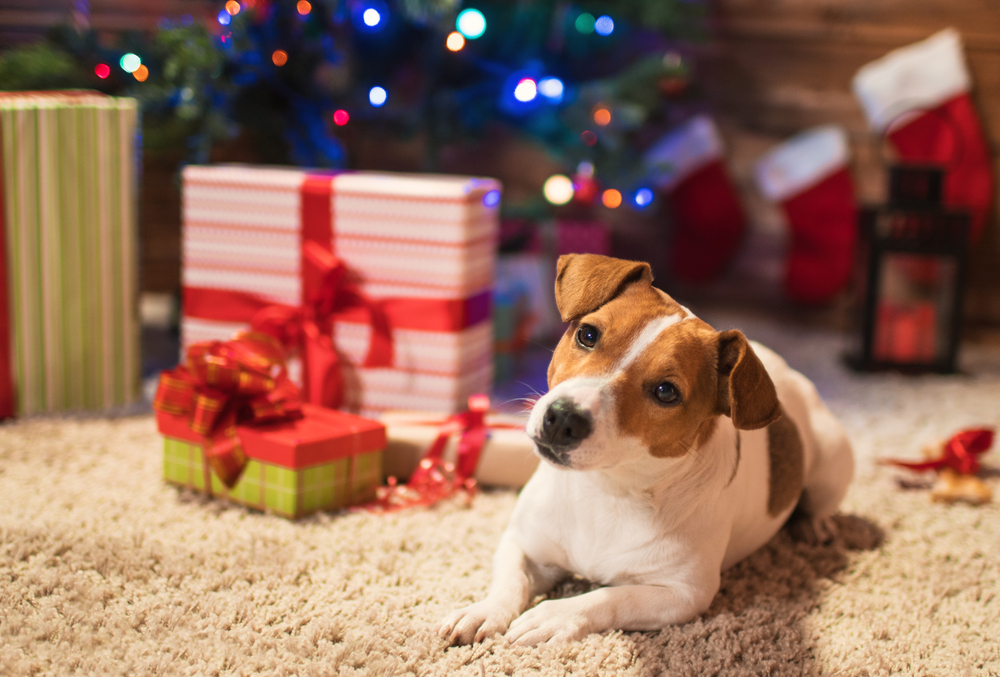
x=308, y=328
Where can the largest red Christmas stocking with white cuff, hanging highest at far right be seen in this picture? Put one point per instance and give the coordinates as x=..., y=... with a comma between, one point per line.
x=918, y=96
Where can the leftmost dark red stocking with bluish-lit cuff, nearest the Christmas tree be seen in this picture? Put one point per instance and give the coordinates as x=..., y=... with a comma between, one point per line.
x=707, y=215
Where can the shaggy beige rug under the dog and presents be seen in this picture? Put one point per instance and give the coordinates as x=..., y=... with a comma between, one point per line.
x=104, y=570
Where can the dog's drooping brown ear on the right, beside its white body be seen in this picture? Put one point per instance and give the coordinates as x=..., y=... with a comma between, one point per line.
x=746, y=392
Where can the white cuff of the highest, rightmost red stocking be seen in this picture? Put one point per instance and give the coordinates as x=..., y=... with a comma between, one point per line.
x=916, y=77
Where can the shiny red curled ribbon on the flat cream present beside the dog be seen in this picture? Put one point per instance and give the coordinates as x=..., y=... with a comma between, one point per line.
x=435, y=479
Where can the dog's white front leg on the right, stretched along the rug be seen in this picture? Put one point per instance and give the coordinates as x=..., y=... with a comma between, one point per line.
x=626, y=607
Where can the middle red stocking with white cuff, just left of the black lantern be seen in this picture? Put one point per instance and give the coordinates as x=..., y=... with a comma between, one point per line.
x=807, y=175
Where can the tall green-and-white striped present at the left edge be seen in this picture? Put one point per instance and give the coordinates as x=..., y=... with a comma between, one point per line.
x=69, y=333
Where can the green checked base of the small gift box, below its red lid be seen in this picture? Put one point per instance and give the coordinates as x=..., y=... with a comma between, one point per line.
x=289, y=492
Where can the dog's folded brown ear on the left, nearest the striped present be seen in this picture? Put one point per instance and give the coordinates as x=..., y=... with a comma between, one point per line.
x=585, y=282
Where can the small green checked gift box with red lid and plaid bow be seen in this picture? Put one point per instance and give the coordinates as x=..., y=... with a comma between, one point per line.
x=233, y=427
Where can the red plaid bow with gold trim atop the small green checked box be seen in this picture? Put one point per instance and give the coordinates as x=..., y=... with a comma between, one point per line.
x=244, y=380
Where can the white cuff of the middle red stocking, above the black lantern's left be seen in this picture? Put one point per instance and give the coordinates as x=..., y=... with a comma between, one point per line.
x=801, y=162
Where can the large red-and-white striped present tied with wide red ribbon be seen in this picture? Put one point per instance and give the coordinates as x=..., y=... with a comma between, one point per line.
x=396, y=268
